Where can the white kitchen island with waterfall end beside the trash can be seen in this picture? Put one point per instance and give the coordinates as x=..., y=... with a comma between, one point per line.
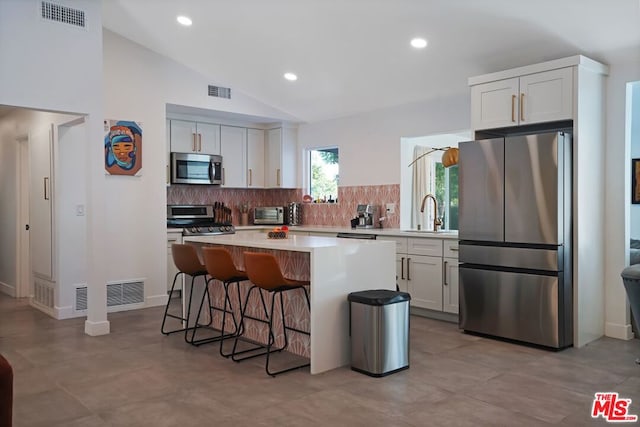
x=335, y=268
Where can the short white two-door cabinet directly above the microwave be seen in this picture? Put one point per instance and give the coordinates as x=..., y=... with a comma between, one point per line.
x=195, y=137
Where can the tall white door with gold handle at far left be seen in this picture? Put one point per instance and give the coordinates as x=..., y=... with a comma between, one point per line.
x=40, y=203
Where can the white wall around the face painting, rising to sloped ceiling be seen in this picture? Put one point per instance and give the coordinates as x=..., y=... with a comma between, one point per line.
x=136, y=206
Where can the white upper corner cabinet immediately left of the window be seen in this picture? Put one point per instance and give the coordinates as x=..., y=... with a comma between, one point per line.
x=280, y=159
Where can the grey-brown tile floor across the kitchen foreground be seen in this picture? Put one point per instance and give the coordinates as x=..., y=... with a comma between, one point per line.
x=137, y=377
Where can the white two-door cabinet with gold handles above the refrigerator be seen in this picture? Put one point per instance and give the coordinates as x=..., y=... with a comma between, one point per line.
x=539, y=97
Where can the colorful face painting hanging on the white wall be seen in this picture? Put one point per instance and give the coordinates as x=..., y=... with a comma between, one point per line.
x=122, y=147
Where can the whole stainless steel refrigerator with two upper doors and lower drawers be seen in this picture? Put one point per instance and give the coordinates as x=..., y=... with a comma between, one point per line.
x=515, y=238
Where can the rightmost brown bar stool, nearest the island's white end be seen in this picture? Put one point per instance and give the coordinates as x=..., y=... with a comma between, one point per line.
x=265, y=274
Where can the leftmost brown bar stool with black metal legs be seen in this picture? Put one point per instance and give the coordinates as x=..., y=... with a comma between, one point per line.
x=186, y=259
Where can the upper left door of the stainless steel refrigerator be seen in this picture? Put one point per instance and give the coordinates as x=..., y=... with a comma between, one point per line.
x=481, y=177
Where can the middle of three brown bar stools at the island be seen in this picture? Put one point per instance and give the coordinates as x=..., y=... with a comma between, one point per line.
x=220, y=266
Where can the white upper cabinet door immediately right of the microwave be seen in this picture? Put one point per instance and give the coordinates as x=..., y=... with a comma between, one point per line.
x=233, y=144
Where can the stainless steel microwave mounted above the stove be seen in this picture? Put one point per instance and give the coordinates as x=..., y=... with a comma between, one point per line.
x=188, y=168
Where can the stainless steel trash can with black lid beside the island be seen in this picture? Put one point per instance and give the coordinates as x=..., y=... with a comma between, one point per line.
x=379, y=329
